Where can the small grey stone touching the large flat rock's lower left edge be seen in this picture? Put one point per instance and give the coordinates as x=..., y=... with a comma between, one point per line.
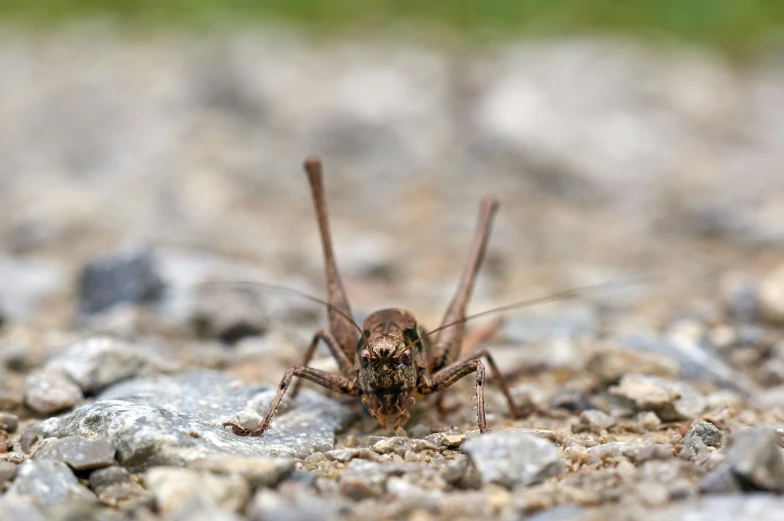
x=78, y=452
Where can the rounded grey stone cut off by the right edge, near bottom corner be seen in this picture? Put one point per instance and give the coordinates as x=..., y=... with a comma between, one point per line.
x=756, y=459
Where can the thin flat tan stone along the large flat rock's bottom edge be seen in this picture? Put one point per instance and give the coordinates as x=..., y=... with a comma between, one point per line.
x=258, y=471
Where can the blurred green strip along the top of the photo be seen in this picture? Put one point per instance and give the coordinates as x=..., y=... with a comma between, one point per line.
x=733, y=26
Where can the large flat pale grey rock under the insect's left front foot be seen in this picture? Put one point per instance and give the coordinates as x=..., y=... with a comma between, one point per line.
x=174, y=420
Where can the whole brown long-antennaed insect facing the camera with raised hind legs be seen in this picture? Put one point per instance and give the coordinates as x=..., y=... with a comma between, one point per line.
x=391, y=360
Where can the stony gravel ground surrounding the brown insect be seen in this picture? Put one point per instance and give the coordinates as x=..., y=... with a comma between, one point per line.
x=135, y=169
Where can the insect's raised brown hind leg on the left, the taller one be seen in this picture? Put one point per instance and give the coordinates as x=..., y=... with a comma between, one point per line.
x=340, y=327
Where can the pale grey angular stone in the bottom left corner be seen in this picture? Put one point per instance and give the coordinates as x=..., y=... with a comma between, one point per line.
x=49, y=482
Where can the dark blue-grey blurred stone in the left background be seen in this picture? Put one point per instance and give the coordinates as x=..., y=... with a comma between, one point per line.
x=129, y=276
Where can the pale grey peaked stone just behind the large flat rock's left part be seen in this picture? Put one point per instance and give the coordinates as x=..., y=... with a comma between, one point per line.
x=99, y=361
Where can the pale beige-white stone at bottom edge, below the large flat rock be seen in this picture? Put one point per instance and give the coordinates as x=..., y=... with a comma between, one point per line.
x=174, y=488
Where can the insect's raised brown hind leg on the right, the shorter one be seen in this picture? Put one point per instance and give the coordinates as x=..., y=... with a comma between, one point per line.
x=446, y=346
